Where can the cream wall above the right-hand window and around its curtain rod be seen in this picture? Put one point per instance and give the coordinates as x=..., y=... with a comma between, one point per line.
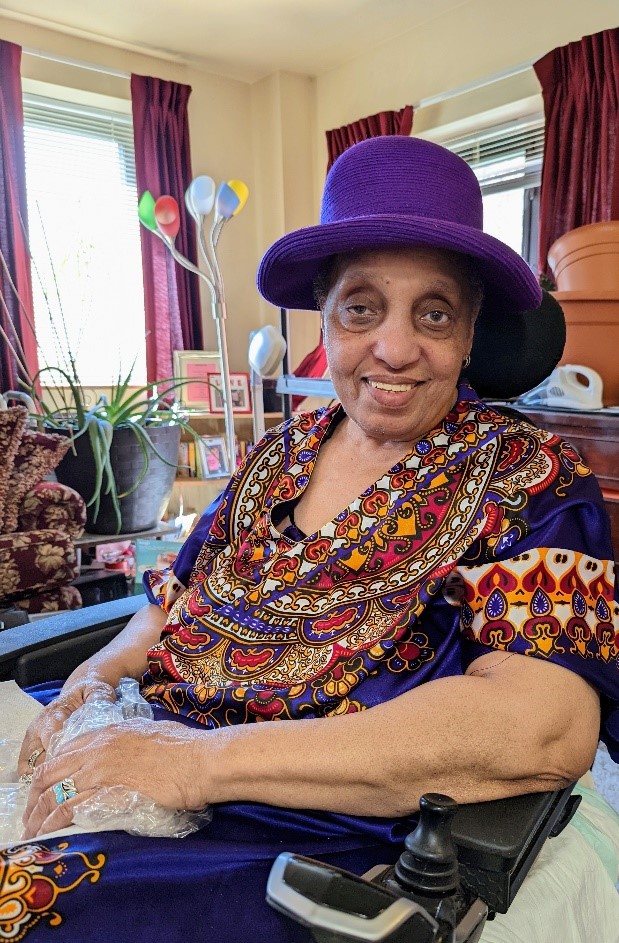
x=474, y=41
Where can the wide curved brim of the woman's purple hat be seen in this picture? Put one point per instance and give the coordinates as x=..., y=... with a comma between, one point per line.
x=287, y=271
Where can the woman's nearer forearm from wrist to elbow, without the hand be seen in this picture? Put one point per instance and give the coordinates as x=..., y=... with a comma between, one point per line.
x=464, y=736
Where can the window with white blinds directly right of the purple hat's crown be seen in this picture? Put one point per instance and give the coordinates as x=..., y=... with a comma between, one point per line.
x=508, y=163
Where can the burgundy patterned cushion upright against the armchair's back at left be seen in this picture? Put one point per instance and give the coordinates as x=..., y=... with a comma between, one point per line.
x=37, y=455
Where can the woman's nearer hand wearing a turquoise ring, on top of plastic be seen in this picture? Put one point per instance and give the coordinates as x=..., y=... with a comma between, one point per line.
x=161, y=760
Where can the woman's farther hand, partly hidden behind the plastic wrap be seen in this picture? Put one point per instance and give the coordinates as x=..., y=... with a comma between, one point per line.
x=52, y=718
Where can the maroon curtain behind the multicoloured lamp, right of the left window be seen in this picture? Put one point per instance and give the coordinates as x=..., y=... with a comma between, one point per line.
x=163, y=166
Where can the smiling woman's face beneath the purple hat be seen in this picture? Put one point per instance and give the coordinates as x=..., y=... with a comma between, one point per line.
x=397, y=326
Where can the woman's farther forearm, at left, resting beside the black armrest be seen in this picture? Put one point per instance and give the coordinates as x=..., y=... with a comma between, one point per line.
x=125, y=655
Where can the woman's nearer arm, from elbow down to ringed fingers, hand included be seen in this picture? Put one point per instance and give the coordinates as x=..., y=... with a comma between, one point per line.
x=514, y=724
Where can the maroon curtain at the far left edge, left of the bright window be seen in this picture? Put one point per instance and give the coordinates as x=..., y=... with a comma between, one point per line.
x=13, y=221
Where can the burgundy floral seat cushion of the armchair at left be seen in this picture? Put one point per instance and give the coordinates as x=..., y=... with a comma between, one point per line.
x=34, y=561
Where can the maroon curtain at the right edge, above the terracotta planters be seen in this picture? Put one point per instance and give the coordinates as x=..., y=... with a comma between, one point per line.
x=580, y=176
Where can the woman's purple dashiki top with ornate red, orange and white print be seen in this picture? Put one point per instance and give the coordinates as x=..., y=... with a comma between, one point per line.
x=490, y=534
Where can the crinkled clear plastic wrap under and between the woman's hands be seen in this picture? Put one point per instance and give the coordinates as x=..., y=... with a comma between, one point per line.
x=112, y=807
